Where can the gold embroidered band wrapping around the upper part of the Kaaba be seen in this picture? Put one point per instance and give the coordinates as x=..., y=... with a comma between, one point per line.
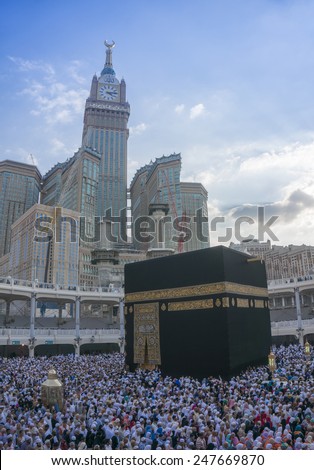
x=196, y=291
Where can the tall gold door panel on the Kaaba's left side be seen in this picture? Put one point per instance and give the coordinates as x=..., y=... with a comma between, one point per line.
x=146, y=335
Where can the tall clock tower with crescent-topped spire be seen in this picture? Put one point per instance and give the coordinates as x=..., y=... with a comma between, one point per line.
x=105, y=129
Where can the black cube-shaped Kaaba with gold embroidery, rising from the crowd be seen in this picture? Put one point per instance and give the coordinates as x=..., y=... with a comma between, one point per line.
x=202, y=313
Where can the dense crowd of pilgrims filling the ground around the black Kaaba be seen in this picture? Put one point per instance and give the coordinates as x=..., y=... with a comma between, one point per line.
x=108, y=408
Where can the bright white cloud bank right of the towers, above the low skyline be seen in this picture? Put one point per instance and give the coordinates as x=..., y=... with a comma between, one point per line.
x=279, y=180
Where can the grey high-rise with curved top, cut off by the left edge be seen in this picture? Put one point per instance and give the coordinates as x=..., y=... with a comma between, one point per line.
x=19, y=190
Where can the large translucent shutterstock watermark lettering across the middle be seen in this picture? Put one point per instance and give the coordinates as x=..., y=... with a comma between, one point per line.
x=149, y=229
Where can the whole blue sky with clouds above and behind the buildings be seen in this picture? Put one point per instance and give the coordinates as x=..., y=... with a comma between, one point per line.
x=228, y=84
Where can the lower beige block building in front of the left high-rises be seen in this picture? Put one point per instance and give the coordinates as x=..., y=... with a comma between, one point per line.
x=45, y=246
